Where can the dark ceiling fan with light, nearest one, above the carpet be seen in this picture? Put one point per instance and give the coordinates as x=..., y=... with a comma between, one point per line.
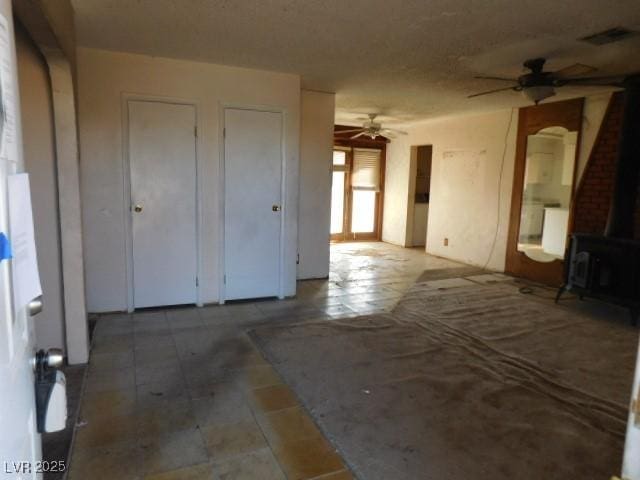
x=538, y=85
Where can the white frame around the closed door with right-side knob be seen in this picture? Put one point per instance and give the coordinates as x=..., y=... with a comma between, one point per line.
x=222, y=107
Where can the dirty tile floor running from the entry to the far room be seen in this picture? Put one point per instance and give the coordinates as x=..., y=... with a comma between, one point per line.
x=184, y=394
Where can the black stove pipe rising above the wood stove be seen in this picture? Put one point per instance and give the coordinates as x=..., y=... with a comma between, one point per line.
x=620, y=222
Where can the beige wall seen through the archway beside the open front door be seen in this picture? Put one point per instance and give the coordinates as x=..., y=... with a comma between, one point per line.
x=40, y=162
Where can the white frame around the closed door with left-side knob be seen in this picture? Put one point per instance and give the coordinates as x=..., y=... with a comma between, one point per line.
x=125, y=98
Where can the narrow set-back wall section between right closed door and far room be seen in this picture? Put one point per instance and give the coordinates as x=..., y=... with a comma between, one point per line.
x=316, y=153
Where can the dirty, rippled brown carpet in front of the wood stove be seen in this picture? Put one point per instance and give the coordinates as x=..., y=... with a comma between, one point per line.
x=472, y=382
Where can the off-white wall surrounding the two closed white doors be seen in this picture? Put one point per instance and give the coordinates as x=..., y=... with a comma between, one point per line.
x=104, y=77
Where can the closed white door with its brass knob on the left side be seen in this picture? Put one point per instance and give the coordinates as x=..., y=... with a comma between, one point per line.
x=162, y=158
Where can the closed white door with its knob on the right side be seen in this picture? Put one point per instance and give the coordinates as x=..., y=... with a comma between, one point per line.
x=253, y=209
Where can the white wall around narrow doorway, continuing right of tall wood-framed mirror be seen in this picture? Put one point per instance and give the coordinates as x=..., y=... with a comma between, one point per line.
x=461, y=209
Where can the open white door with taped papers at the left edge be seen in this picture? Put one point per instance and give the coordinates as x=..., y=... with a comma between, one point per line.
x=19, y=440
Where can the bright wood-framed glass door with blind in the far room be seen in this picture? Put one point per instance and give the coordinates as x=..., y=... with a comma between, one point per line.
x=356, y=193
